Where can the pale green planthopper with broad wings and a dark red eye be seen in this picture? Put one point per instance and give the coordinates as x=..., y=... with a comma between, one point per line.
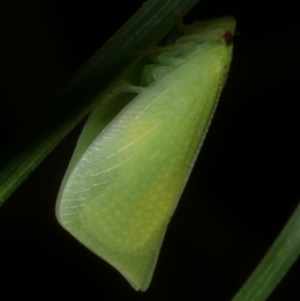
x=128, y=172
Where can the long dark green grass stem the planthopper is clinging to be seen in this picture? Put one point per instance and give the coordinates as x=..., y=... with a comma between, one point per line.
x=149, y=24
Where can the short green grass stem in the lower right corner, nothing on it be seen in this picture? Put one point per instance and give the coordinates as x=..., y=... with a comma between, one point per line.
x=275, y=264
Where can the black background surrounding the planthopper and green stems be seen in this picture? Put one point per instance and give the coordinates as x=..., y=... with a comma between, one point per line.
x=241, y=192
